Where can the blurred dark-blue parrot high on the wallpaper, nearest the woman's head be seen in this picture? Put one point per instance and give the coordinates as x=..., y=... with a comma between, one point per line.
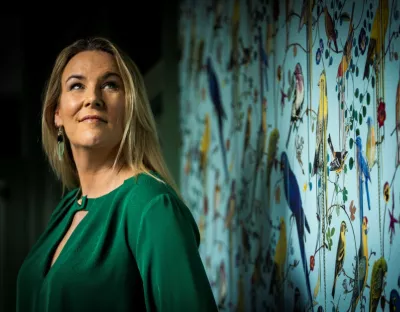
x=215, y=95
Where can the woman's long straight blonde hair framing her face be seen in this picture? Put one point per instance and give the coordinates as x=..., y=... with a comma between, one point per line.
x=139, y=147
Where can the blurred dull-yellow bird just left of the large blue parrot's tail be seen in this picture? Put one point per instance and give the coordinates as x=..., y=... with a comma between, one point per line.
x=278, y=268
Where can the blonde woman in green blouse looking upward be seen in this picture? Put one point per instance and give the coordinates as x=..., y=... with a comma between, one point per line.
x=121, y=239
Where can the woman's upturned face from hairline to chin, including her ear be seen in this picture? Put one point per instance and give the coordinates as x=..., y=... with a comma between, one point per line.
x=92, y=101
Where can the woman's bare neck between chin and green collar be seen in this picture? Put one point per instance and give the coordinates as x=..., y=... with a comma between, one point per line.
x=96, y=171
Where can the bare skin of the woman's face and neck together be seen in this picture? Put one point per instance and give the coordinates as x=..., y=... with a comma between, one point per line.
x=92, y=85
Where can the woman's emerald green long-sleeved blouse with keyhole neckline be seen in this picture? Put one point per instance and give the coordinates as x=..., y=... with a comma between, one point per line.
x=135, y=250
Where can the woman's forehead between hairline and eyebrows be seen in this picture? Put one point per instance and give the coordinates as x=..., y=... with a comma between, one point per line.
x=90, y=63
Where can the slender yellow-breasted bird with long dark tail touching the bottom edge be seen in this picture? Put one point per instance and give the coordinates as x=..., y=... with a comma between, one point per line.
x=361, y=271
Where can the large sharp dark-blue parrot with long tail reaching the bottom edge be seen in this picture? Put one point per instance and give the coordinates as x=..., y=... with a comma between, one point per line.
x=293, y=198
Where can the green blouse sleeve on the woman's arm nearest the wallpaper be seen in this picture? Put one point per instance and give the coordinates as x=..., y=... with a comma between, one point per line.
x=174, y=278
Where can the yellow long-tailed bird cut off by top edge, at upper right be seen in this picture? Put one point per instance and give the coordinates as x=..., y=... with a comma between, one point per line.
x=377, y=35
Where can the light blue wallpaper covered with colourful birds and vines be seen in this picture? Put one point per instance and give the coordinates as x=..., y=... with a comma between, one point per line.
x=290, y=124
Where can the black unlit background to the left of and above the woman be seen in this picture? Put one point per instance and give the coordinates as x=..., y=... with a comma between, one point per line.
x=30, y=43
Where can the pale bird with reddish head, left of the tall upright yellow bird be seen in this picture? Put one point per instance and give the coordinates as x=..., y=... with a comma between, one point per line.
x=298, y=99
